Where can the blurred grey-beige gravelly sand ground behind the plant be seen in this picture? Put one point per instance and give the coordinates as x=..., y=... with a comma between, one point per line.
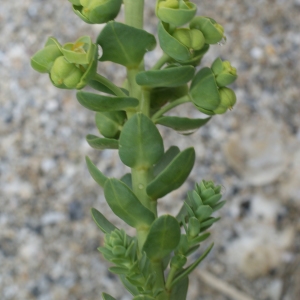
x=47, y=238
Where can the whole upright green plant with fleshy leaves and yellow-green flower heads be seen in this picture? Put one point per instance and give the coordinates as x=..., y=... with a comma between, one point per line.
x=127, y=117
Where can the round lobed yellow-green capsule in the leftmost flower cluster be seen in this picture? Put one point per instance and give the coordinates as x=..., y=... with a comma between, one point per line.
x=64, y=74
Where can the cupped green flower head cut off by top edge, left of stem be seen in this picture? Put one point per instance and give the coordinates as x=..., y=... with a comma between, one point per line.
x=96, y=11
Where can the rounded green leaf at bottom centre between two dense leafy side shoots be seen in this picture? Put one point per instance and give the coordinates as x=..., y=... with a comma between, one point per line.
x=163, y=238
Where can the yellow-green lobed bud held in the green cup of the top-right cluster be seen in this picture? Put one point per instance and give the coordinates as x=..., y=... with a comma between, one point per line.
x=193, y=39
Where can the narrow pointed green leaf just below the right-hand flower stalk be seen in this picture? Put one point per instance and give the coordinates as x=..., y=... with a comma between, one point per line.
x=182, y=125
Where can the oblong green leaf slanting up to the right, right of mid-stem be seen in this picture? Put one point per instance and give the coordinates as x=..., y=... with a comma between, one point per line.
x=173, y=176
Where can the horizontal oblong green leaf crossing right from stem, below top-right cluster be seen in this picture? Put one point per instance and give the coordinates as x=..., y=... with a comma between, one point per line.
x=169, y=77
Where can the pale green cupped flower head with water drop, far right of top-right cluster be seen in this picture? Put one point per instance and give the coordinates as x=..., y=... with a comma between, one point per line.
x=212, y=31
